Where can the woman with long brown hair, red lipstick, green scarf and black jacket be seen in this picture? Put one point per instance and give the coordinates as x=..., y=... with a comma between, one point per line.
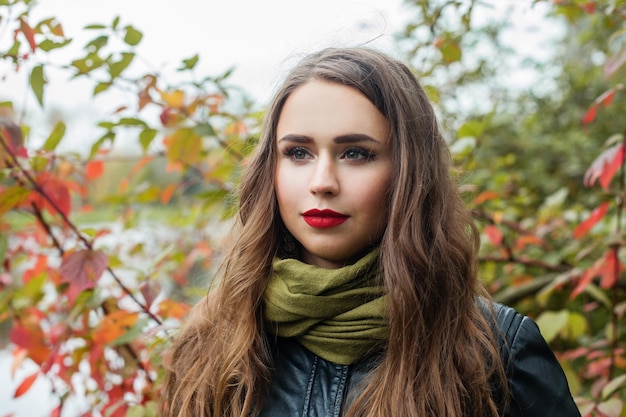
x=351, y=285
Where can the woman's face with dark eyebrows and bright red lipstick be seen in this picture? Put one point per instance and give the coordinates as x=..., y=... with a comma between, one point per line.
x=333, y=172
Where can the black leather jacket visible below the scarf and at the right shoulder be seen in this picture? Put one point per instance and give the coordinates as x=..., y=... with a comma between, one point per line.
x=306, y=385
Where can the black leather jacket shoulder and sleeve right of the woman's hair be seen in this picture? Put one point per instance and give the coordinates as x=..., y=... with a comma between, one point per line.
x=537, y=383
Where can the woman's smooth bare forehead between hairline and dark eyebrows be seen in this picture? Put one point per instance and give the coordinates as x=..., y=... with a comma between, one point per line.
x=312, y=102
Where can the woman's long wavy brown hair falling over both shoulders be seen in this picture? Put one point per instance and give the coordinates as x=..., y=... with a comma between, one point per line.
x=442, y=358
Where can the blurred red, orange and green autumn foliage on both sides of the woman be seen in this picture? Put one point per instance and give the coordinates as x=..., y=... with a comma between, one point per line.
x=101, y=254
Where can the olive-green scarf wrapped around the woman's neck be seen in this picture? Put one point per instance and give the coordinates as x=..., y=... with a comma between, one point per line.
x=338, y=314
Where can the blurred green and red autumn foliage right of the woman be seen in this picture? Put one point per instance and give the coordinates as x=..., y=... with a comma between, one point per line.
x=542, y=169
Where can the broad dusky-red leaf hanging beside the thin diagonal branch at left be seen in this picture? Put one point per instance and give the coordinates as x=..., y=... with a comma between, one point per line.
x=82, y=270
